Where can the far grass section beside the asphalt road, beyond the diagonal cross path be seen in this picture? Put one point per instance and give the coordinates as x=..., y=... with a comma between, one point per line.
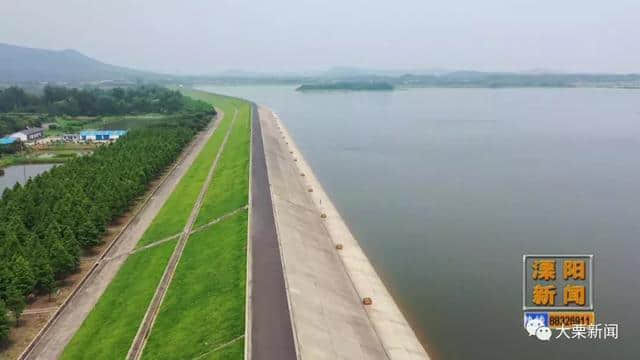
x=230, y=185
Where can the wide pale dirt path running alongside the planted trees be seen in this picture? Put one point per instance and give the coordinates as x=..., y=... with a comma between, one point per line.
x=53, y=338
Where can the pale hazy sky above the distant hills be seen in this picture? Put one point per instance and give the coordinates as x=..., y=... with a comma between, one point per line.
x=204, y=36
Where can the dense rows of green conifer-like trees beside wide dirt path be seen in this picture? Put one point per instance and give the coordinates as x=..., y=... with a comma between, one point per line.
x=47, y=223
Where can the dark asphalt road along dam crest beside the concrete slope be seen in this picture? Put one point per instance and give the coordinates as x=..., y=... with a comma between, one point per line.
x=271, y=333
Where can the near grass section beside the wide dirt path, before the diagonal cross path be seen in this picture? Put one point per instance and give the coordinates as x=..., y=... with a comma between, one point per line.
x=108, y=330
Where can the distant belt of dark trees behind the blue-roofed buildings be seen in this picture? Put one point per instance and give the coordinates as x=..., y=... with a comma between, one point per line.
x=71, y=110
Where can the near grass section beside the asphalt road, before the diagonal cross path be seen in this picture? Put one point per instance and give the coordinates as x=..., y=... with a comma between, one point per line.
x=204, y=307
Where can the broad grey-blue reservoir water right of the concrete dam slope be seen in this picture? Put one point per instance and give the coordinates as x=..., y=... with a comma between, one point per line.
x=446, y=189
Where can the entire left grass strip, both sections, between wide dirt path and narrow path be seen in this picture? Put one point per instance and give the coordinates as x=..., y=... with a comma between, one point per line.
x=170, y=220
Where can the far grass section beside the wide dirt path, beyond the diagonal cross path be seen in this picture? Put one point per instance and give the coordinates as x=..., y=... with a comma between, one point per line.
x=174, y=214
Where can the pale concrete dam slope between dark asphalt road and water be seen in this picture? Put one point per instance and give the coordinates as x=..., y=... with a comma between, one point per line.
x=339, y=307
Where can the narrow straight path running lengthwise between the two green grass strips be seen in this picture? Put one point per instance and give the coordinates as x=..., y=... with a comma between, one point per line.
x=135, y=352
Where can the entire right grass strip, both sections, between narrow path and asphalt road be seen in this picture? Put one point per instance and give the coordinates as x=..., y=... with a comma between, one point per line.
x=204, y=306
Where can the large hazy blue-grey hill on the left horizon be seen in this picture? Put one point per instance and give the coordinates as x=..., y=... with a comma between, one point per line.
x=21, y=64
